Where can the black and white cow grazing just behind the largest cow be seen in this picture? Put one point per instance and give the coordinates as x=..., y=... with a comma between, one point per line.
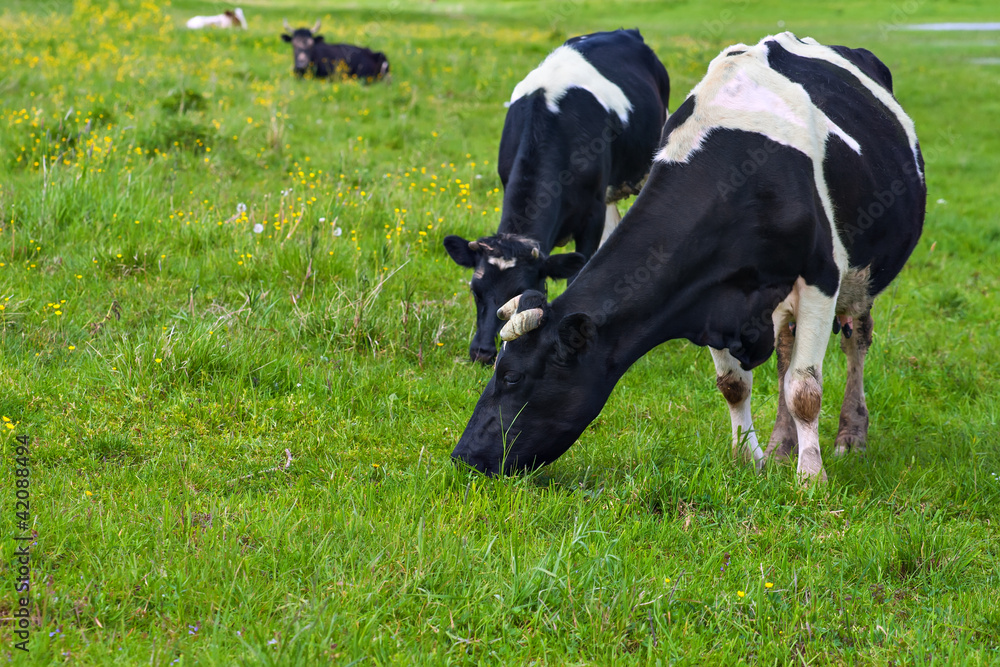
x=580, y=134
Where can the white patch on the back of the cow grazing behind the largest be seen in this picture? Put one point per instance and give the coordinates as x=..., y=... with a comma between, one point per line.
x=566, y=68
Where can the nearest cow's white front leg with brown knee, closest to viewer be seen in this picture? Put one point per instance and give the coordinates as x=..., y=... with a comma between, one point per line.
x=803, y=383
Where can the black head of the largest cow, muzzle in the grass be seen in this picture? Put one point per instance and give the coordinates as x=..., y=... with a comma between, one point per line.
x=547, y=386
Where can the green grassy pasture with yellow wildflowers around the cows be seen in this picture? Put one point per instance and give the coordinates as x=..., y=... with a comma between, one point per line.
x=205, y=262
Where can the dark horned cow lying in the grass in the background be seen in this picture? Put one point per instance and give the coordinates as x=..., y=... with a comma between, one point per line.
x=313, y=54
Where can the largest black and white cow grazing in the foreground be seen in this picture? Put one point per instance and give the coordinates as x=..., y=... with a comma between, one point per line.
x=788, y=187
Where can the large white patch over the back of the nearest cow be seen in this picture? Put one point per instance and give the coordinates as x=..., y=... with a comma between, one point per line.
x=742, y=92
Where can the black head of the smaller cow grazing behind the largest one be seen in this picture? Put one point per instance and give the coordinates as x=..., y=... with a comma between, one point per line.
x=504, y=266
